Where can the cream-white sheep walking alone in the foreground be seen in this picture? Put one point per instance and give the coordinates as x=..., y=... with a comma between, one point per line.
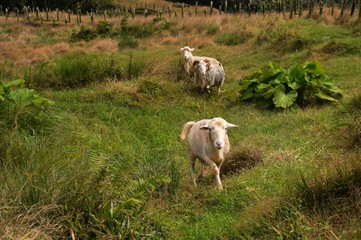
x=207, y=141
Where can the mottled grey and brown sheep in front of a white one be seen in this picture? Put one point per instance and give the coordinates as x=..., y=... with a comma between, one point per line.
x=208, y=75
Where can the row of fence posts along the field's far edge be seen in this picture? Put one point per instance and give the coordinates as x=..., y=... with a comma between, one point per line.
x=181, y=10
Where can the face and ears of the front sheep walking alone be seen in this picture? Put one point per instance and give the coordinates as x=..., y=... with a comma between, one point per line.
x=218, y=131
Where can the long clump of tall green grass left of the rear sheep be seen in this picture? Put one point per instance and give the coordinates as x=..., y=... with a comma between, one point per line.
x=79, y=70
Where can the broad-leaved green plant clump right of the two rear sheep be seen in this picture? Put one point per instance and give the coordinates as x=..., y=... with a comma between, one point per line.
x=299, y=85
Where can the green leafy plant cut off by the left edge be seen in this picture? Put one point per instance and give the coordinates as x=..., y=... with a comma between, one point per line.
x=20, y=106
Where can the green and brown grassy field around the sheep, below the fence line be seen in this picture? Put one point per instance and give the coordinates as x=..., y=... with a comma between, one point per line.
x=106, y=160
